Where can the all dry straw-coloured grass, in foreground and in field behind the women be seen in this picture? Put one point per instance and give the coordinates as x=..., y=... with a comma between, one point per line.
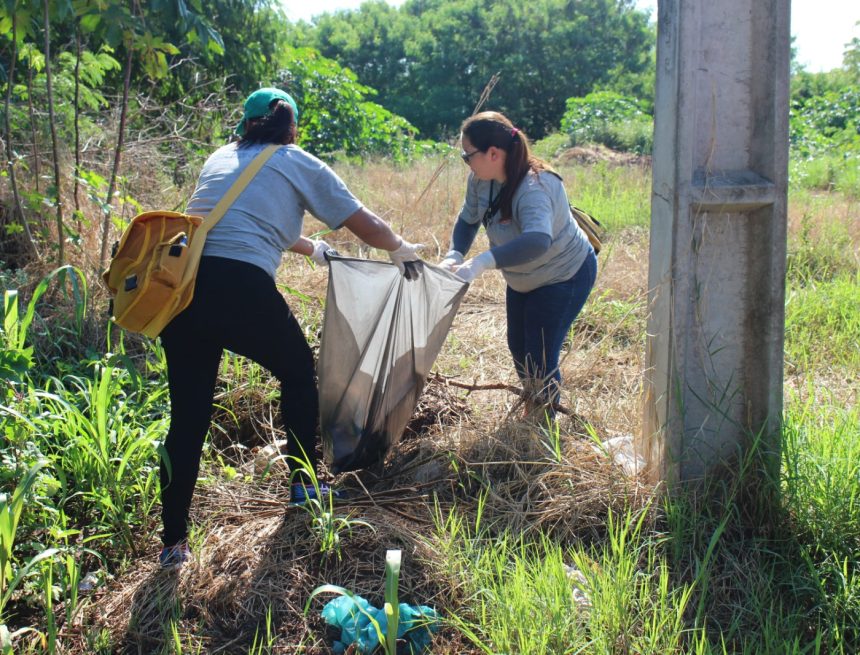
x=258, y=555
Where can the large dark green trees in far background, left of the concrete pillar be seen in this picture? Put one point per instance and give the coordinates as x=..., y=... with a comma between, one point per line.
x=431, y=60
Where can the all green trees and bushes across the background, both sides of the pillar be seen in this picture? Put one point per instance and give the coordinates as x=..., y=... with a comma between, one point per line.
x=84, y=81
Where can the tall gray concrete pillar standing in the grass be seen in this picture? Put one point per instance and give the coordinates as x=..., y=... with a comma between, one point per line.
x=718, y=232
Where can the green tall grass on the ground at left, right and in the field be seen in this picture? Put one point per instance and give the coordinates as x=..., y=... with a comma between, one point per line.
x=697, y=573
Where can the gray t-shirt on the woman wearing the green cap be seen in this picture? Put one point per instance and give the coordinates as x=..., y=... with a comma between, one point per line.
x=266, y=218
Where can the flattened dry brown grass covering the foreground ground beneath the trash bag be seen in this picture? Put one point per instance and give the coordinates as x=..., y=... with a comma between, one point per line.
x=257, y=554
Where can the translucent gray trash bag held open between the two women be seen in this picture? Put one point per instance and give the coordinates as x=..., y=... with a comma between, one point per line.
x=381, y=335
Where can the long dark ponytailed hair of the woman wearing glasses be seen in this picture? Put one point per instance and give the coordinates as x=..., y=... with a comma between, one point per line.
x=490, y=128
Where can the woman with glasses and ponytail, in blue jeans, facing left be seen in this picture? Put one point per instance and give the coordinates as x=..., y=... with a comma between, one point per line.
x=545, y=257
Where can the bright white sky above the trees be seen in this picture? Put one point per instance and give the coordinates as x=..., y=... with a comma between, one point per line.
x=821, y=27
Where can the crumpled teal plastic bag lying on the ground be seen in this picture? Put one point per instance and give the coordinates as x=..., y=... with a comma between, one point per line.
x=352, y=614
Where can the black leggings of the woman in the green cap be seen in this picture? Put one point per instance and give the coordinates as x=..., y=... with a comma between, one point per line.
x=238, y=307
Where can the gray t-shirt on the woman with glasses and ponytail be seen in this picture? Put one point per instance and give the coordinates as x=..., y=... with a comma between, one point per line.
x=540, y=204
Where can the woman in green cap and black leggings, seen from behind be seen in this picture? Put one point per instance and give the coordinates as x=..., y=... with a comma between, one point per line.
x=236, y=305
